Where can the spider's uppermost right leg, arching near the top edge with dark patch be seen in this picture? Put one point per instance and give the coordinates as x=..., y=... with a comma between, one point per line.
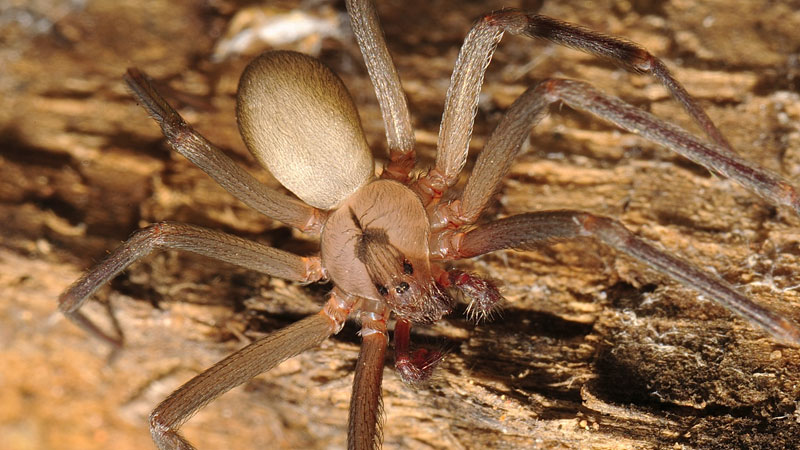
x=476, y=53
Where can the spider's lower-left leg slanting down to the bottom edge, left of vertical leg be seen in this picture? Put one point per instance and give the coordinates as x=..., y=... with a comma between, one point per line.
x=240, y=367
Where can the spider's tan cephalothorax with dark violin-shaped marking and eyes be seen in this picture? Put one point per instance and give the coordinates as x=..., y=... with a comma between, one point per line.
x=376, y=246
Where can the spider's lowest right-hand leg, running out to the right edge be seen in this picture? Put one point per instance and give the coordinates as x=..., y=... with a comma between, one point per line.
x=527, y=231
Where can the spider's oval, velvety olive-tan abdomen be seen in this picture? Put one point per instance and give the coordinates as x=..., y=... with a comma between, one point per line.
x=299, y=121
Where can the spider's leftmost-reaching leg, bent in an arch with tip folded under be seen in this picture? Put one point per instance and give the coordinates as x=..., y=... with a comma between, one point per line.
x=170, y=235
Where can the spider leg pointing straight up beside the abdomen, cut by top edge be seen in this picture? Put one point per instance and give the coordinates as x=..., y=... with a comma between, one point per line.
x=391, y=97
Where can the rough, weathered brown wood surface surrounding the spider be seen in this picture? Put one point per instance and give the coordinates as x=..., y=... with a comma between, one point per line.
x=591, y=351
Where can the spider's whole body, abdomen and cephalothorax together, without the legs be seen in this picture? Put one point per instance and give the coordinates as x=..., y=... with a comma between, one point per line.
x=374, y=242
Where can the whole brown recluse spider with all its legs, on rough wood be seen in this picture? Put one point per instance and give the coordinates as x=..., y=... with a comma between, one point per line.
x=385, y=239
